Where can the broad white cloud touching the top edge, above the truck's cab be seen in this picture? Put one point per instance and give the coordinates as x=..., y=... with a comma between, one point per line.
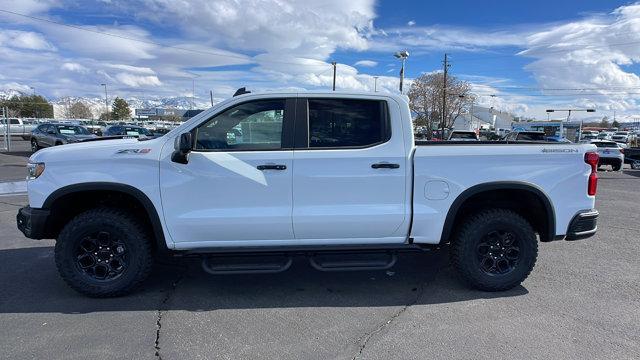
x=310, y=28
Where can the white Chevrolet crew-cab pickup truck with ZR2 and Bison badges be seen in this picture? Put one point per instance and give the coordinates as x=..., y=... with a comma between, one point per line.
x=335, y=177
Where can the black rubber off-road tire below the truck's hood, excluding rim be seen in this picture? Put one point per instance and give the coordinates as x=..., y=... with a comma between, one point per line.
x=123, y=225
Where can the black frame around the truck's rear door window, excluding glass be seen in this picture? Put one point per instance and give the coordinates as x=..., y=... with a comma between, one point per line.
x=302, y=125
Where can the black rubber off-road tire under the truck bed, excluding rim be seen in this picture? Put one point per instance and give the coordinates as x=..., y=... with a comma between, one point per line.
x=464, y=251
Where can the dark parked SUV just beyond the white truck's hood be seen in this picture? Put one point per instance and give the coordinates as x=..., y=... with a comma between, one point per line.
x=46, y=135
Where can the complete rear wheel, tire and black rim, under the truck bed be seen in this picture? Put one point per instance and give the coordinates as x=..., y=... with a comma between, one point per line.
x=494, y=250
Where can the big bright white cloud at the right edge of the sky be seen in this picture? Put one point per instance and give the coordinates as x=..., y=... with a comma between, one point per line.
x=590, y=54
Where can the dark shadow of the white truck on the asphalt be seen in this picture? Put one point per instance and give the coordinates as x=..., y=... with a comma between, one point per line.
x=31, y=284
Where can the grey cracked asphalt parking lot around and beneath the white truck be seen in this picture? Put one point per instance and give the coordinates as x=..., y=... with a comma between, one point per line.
x=581, y=301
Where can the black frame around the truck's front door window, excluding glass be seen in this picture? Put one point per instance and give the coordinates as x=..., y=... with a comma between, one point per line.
x=286, y=143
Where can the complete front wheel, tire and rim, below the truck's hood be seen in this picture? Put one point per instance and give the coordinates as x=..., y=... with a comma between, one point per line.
x=103, y=252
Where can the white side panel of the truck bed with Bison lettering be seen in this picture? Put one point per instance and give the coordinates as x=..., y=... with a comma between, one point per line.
x=443, y=170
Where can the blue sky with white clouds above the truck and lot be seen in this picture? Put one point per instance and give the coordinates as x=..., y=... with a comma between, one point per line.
x=520, y=56
